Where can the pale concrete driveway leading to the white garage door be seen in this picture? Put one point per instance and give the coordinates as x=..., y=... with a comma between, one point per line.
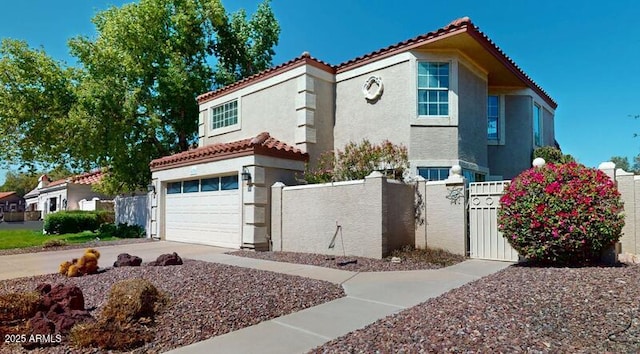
x=48, y=262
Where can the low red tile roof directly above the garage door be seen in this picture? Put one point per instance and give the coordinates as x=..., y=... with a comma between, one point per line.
x=262, y=144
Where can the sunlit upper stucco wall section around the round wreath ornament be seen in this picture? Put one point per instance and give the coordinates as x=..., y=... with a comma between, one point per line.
x=387, y=118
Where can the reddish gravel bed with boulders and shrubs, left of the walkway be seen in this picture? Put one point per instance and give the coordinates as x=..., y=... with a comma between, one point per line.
x=206, y=299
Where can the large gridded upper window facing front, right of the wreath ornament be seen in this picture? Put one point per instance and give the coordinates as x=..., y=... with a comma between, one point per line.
x=433, y=89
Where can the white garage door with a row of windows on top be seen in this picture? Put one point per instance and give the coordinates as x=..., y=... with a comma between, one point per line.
x=204, y=211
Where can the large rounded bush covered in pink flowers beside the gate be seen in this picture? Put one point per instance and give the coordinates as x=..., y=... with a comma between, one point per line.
x=561, y=214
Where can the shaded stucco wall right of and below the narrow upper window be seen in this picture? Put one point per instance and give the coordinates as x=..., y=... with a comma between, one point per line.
x=514, y=156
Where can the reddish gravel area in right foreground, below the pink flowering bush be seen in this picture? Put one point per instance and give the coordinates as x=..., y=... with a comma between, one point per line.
x=518, y=310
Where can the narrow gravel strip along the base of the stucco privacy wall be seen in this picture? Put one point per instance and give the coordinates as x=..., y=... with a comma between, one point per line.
x=350, y=263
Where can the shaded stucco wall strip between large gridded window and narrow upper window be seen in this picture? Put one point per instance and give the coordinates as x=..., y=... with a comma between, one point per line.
x=472, y=117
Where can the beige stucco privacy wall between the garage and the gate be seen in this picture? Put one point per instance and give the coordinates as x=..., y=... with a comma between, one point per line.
x=305, y=218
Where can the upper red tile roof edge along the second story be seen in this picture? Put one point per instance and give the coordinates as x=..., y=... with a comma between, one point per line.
x=459, y=26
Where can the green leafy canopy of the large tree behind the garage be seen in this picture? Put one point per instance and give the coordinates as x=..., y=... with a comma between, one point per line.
x=131, y=96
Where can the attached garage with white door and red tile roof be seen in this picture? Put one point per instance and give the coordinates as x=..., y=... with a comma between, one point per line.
x=219, y=194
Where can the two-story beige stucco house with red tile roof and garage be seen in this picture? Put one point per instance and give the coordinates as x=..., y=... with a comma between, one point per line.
x=451, y=96
